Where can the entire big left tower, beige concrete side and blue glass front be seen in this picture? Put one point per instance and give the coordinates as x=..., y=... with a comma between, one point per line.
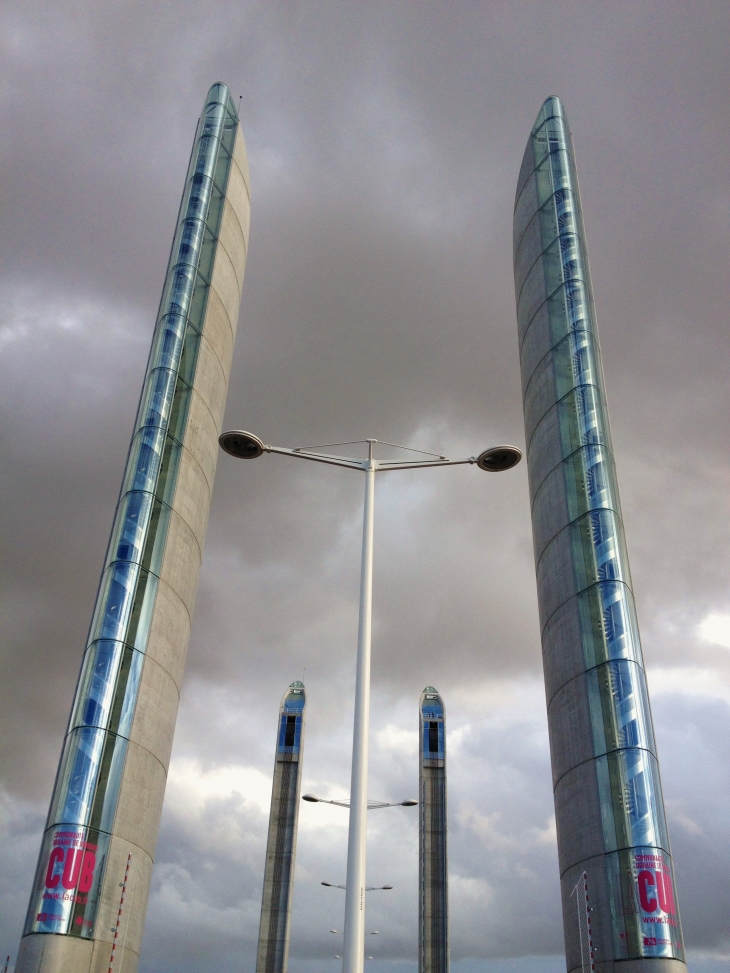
x=99, y=843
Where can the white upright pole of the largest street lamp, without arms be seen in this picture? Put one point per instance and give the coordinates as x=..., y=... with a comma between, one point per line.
x=354, y=940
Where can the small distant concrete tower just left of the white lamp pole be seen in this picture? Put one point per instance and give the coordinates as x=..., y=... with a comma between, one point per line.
x=273, y=955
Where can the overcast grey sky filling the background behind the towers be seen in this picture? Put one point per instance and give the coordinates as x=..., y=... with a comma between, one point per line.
x=384, y=141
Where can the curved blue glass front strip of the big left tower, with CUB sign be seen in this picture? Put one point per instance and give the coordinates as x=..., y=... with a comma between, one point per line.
x=83, y=806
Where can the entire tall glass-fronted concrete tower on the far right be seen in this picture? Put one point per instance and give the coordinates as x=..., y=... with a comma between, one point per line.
x=608, y=798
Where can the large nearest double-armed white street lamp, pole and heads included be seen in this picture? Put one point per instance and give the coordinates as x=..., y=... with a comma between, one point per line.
x=245, y=445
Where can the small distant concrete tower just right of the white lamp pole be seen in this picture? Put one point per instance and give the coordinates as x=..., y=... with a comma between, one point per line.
x=433, y=906
